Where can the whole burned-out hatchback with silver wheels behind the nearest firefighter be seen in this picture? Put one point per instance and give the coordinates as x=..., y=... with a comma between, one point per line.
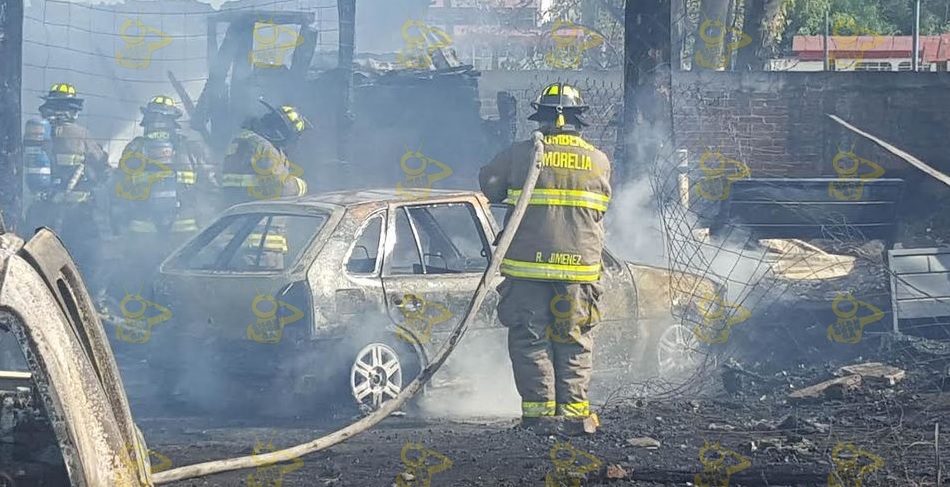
x=369, y=283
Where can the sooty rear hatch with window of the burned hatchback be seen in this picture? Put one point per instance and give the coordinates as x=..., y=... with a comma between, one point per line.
x=211, y=284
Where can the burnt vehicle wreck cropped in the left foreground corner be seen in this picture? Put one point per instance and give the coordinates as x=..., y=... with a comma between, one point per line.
x=64, y=417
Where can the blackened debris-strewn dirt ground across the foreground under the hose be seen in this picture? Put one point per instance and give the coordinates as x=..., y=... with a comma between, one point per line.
x=784, y=443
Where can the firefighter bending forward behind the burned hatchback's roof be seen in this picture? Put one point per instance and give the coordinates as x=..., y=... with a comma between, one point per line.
x=256, y=168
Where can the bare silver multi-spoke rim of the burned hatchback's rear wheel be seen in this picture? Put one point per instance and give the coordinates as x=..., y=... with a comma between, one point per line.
x=376, y=376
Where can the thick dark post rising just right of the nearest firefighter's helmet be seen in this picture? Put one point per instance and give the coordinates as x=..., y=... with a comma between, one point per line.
x=646, y=132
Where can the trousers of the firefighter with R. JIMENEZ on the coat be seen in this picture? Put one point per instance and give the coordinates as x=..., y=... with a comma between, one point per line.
x=550, y=344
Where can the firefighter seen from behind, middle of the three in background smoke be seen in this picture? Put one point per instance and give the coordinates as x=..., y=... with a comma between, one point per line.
x=156, y=185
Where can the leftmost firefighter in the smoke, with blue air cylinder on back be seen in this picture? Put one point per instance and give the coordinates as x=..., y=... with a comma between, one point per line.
x=64, y=169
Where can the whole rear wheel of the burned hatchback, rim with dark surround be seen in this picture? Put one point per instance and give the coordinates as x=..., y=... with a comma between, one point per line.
x=378, y=373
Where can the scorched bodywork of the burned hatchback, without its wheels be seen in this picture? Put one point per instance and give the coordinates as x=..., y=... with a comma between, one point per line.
x=379, y=257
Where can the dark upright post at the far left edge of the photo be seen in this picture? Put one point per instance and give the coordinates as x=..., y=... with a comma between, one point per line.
x=11, y=74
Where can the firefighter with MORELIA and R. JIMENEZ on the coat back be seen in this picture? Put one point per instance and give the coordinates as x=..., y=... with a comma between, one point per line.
x=554, y=259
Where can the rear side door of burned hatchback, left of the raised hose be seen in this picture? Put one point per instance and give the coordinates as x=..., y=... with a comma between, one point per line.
x=436, y=254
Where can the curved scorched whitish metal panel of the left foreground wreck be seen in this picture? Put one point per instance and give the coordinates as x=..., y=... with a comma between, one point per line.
x=44, y=304
